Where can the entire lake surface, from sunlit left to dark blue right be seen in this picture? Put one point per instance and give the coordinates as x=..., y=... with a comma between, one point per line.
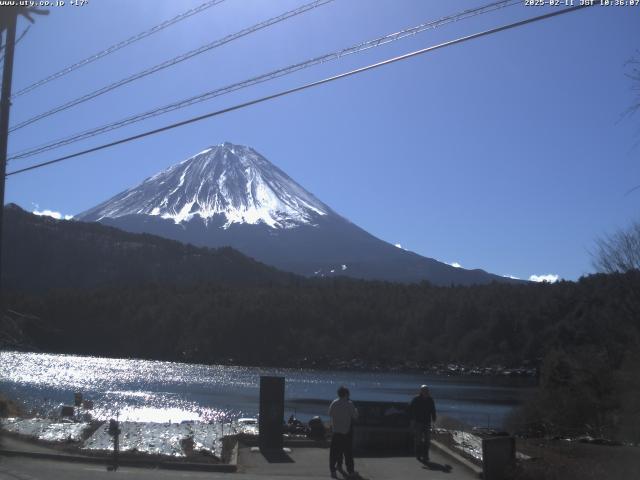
x=154, y=391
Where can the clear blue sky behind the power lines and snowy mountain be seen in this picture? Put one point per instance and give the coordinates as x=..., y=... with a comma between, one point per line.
x=507, y=153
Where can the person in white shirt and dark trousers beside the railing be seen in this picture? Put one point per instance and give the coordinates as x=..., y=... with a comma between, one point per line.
x=343, y=413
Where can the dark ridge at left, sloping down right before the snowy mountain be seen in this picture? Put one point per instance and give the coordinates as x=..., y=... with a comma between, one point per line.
x=41, y=253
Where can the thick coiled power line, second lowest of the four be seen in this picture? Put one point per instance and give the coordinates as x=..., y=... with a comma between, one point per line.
x=264, y=77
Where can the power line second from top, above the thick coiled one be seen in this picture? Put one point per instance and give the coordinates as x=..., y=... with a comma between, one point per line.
x=173, y=61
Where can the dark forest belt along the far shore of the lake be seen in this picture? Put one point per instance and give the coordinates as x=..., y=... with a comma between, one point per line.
x=383, y=323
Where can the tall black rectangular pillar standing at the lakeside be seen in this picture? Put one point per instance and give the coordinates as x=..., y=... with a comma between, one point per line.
x=271, y=417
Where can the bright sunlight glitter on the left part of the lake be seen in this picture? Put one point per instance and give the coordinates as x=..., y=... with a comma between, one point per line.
x=132, y=390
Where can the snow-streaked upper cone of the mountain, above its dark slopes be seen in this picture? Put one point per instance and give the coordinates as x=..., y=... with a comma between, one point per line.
x=227, y=180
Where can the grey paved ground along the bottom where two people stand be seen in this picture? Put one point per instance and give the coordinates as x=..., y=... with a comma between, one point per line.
x=303, y=463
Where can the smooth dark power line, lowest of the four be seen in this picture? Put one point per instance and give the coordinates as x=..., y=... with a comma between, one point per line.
x=304, y=87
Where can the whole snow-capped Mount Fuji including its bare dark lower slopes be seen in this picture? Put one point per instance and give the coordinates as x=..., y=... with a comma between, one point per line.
x=230, y=195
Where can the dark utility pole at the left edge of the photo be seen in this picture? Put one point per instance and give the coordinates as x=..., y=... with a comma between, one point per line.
x=11, y=20
